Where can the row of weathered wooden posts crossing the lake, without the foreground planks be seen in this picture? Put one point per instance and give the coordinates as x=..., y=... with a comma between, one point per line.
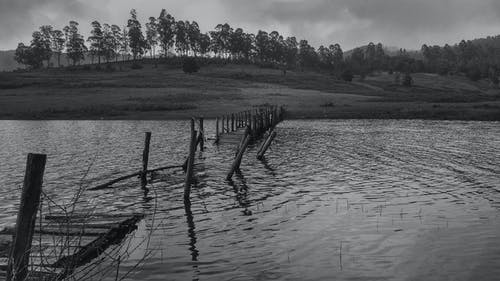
x=256, y=123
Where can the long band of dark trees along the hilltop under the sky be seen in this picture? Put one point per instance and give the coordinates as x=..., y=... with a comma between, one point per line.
x=165, y=37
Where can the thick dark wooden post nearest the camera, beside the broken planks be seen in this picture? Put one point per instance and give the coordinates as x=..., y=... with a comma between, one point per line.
x=17, y=269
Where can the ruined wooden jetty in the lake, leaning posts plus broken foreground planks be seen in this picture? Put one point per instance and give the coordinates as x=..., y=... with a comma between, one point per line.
x=245, y=127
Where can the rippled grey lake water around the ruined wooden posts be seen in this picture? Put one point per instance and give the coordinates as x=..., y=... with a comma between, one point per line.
x=333, y=200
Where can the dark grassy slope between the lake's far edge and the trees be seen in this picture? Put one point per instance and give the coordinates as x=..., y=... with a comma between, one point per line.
x=165, y=93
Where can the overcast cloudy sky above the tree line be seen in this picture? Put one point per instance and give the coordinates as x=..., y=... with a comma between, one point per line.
x=401, y=23
